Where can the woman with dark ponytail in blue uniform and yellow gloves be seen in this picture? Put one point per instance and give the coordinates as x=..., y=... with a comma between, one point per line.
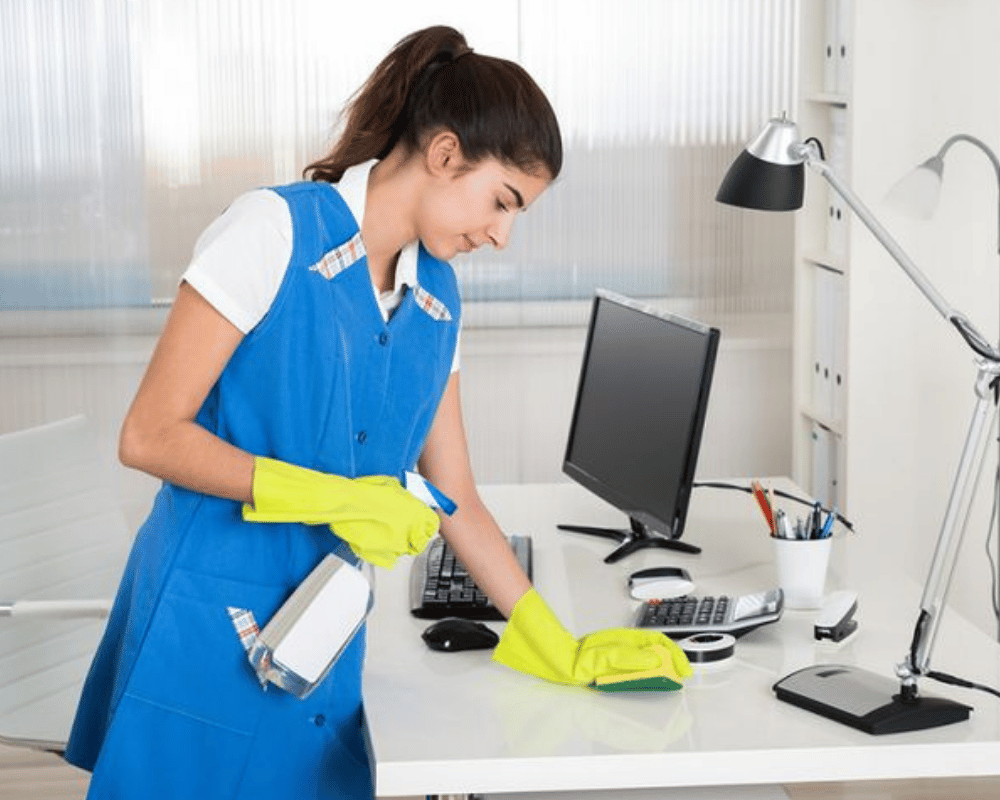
x=310, y=357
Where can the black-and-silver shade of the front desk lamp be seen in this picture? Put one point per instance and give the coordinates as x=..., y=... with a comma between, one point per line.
x=766, y=175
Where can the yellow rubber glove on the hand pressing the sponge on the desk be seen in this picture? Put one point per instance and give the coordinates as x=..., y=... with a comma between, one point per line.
x=535, y=642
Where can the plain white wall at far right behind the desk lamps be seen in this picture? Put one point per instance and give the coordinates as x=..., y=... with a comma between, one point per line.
x=923, y=71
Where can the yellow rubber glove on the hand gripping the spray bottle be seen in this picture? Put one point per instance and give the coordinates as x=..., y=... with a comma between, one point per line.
x=375, y=515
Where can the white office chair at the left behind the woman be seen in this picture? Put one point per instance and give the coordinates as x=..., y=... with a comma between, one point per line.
x=63, y=545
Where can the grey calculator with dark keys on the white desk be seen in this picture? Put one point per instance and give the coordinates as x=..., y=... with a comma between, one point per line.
x=692, y=614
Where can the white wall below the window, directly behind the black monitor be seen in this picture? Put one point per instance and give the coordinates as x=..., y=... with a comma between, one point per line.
x=518, y=387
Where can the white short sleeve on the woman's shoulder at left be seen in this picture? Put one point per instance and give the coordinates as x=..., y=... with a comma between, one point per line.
x=240, y=259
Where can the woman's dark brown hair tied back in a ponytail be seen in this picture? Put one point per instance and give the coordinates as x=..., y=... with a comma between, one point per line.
x=432, y=81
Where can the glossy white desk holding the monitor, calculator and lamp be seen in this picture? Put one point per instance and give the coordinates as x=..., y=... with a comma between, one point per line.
x=443, y=723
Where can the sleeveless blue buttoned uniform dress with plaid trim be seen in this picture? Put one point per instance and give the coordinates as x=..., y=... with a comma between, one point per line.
x=171, y=707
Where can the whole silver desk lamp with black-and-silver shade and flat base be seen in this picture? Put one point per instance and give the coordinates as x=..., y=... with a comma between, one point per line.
x=769, y=176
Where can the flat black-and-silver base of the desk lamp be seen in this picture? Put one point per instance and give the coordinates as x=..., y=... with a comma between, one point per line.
x=865, y=700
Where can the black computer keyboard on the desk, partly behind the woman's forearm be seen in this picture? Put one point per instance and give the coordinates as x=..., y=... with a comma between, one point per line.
x=440, y=586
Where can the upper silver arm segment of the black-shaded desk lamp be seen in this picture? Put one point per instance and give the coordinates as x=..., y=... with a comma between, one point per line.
x=972, y=337
